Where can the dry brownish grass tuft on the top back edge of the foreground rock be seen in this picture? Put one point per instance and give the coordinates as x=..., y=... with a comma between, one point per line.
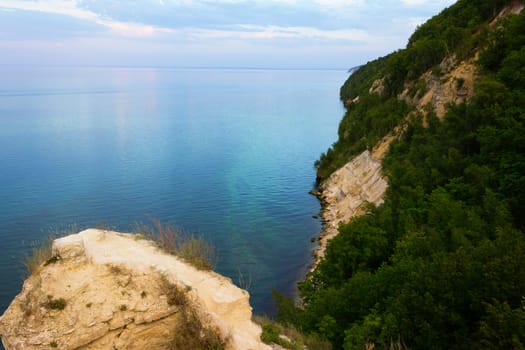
x=195, y=250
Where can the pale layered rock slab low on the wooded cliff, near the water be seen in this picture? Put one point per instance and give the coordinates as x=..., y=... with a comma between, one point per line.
x=345, y=193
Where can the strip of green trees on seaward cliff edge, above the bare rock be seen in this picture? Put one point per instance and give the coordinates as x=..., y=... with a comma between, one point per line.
x=459, y=30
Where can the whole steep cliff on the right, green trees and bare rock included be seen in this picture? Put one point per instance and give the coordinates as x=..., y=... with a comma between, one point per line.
x=440, y=263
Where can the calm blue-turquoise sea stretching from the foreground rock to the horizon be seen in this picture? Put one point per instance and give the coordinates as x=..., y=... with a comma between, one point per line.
x=225, y=153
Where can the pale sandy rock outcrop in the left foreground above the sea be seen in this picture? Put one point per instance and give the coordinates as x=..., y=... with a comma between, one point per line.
x=112, y=287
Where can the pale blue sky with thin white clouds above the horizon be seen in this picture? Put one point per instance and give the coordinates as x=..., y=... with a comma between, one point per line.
x=337, y=34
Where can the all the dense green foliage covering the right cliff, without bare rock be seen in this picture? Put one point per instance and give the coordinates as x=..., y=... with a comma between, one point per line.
x=441, y=264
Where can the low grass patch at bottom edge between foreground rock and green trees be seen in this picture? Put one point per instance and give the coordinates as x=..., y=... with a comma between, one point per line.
x=288, y=336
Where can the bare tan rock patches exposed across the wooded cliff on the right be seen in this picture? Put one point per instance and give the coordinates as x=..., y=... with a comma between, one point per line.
x=345, y=193
